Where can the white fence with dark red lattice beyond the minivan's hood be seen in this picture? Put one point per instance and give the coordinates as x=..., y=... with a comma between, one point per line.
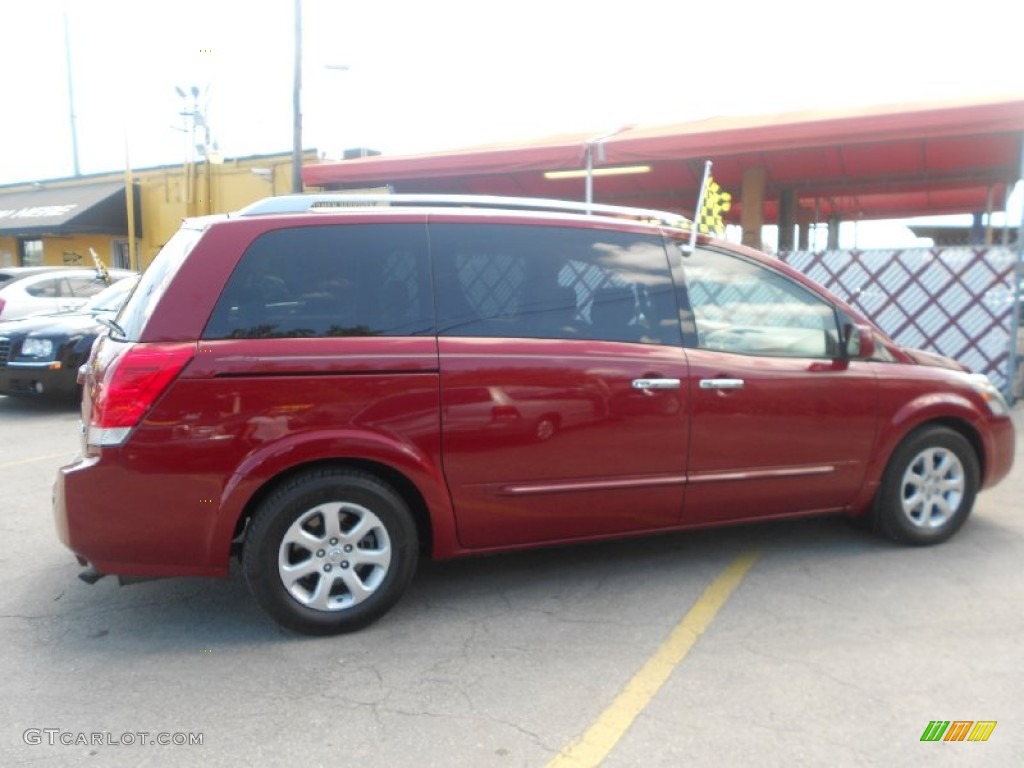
x=955, y=302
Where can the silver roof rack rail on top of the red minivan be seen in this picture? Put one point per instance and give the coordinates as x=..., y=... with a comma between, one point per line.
x=324, y=203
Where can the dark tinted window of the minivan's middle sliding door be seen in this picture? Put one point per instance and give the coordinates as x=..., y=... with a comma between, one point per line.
x=553, y=283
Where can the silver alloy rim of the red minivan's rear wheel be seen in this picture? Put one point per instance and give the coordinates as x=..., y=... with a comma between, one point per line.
x=334, y=557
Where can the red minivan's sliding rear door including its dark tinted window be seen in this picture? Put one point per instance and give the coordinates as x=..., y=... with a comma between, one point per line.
x=564, y=412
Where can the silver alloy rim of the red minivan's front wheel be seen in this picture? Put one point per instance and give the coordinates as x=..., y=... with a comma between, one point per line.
x=932, y=489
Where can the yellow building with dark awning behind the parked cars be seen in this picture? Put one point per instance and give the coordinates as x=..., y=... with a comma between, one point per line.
x=57, y=223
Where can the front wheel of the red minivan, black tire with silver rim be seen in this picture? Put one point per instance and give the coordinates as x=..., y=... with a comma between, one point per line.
x=929, y=488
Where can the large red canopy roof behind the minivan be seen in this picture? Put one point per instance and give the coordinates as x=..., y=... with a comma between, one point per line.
x=872, y=163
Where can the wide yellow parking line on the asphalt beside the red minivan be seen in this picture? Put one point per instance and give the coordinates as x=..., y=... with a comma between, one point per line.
x=595, y=745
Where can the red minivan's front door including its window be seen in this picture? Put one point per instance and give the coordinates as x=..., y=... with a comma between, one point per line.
x=781, y=422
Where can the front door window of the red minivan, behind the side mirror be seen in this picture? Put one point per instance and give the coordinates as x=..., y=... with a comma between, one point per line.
x=742, y=307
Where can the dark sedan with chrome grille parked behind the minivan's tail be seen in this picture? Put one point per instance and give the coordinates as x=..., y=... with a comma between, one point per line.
x=40, y=356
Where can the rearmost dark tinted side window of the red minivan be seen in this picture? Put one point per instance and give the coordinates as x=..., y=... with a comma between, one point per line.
x=359, y=280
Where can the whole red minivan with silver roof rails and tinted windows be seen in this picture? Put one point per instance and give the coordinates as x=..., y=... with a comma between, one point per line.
x=330, y=389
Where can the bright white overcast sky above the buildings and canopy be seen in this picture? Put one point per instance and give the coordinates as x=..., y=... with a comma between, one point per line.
x=440, y=74
